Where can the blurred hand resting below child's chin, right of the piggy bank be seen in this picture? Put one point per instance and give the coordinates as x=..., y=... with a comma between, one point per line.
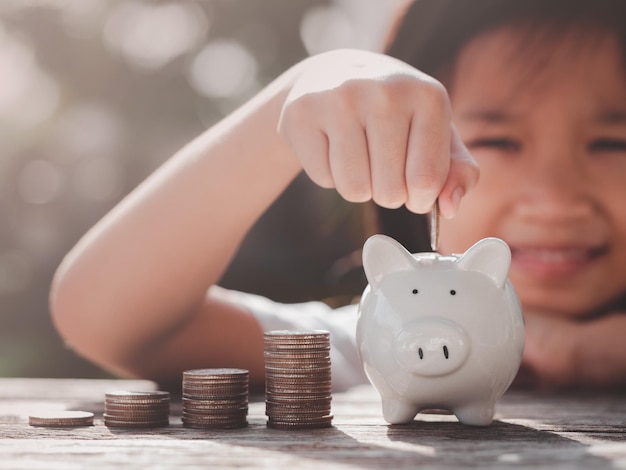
x=565, y=352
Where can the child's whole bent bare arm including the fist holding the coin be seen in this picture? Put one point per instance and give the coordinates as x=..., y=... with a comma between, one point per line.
x=133, y=295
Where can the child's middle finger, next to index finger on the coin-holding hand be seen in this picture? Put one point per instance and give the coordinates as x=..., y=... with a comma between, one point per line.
x=387, y=146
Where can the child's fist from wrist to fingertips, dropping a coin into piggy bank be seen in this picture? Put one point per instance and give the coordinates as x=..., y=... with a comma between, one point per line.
x=376, y=128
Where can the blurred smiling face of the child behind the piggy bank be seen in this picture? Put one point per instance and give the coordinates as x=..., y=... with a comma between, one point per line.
x=547, y=125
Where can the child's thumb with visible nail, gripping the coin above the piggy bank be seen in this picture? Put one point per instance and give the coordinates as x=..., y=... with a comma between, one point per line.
x=462, y=176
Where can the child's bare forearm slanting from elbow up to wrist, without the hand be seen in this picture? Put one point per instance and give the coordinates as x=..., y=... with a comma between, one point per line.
x=147, y=264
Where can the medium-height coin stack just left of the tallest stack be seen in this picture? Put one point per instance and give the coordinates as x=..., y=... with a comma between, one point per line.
x=215, y=398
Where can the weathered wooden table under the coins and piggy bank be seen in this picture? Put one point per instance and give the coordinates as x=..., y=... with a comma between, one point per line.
x=530, y=431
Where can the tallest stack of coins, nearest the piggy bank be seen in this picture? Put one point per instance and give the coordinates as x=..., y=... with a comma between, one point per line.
x=297, y=379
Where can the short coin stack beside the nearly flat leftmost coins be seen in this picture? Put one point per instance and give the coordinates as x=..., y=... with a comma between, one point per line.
x=124, y=409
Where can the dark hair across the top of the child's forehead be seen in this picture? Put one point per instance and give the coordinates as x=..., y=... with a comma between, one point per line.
x=432, y=32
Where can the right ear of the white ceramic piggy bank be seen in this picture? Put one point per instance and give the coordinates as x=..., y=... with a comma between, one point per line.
x=490, y=256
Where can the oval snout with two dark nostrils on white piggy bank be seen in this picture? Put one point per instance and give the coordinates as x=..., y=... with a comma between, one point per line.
x=431, y=347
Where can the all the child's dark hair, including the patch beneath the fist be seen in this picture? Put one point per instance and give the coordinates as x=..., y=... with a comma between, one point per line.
x=429, y=35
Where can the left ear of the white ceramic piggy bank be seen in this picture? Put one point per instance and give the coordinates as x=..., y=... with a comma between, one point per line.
x=382, y=255
